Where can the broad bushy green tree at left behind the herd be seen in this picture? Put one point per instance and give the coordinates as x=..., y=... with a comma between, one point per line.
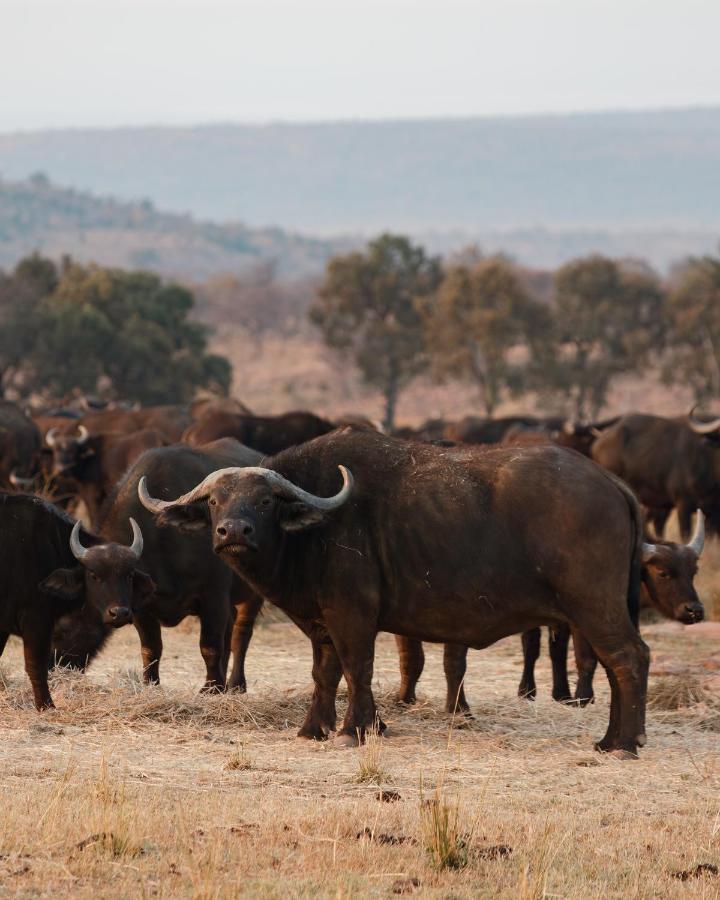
x=128, y=329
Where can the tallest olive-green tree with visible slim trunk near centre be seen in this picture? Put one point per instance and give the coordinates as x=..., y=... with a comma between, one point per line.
x=370, y=308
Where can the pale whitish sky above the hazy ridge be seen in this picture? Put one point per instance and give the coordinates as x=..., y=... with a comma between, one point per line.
x=73, y=63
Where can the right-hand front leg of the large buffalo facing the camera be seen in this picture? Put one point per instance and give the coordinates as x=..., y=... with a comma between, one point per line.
x=354, y=639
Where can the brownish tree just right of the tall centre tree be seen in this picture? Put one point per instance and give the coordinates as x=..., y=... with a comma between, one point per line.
x=482, y=316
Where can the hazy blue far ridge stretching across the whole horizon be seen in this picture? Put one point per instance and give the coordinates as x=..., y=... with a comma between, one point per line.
x=607, y=170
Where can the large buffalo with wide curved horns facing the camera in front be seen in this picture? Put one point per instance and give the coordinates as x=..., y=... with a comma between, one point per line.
x=462, y=546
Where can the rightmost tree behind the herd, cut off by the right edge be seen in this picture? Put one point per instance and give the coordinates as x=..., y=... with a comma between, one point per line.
x=693, y=317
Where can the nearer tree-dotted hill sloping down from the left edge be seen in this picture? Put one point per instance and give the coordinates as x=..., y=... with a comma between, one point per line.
x=37, y=215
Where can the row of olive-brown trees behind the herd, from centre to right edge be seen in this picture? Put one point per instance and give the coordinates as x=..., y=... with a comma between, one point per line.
x=397, y=313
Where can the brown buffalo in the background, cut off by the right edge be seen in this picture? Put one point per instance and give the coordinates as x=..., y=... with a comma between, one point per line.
x=668, y=463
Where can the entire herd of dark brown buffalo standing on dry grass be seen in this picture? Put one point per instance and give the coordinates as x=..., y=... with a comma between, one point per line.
x=459, y=533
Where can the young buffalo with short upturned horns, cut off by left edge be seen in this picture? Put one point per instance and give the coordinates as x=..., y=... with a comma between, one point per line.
x=45, y=572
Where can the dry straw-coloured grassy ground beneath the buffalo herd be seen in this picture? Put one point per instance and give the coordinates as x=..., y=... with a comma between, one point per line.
x=127, y=791
